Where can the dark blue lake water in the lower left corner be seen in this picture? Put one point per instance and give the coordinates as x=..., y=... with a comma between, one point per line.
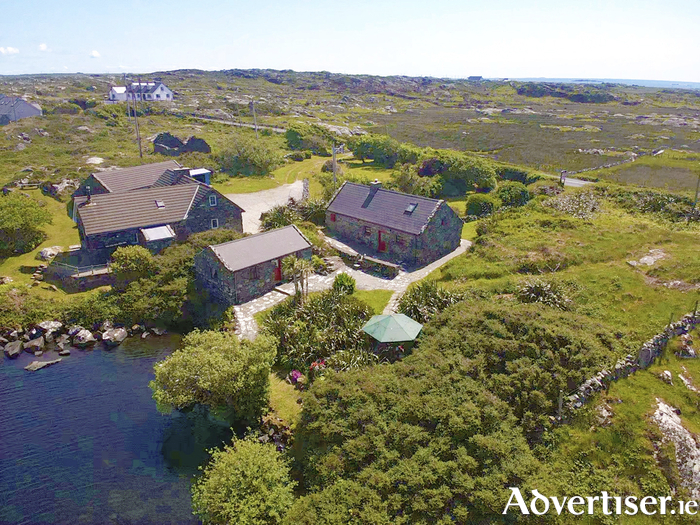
x=81, y=442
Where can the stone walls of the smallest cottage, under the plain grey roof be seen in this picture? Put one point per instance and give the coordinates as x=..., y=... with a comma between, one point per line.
x=241, y=286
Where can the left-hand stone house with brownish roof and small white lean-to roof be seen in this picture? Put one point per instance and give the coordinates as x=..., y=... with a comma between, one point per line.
x=153, y=217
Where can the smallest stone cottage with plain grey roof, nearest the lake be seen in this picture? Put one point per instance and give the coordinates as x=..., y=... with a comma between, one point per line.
x=238, y=271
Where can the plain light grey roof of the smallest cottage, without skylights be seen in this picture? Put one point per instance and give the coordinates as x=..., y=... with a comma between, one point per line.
x=259, y=248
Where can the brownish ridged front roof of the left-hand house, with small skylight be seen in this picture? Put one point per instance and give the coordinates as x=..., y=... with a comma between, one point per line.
x=112, y=212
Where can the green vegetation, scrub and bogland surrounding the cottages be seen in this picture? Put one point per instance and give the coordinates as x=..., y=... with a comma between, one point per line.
x=558, y=285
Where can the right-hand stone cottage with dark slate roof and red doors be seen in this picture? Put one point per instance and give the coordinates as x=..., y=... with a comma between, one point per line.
x=399, y=227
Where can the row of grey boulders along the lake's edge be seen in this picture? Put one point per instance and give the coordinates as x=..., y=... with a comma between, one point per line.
x=54, y=335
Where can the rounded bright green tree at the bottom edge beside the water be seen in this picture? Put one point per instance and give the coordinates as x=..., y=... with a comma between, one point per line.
x=246, y=483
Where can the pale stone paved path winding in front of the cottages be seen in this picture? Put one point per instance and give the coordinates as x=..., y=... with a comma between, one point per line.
x=247, y=328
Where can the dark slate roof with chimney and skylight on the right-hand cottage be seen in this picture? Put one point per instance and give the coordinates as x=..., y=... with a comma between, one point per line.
x=386, y=208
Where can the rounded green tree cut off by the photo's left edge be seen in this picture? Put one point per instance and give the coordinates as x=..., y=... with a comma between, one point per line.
x=21, y=219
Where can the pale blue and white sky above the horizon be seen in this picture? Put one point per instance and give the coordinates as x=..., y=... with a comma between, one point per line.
x=640, y=39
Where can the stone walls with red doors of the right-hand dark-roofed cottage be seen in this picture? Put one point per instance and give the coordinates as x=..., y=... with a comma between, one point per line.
x=441, y=236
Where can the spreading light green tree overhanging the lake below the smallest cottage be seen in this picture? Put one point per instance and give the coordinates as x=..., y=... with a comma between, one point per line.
x=216, y=370
